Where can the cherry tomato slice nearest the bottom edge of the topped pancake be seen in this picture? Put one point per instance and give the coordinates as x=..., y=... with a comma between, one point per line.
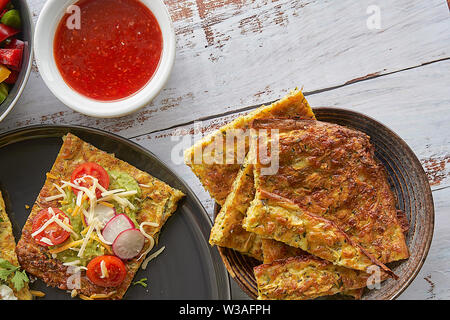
x=116, y=271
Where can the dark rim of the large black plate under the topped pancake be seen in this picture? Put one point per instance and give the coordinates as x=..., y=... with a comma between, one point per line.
x=223, y=293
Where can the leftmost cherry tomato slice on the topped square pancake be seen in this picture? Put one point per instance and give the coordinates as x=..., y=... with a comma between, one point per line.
x=53, y=232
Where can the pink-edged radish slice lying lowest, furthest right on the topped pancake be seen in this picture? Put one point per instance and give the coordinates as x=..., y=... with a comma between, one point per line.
x=128, y=244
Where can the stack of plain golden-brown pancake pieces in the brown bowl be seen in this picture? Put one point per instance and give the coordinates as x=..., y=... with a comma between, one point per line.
x=306, y=198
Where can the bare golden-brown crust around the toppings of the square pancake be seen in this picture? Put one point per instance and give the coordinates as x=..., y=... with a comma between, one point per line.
x=159, y=202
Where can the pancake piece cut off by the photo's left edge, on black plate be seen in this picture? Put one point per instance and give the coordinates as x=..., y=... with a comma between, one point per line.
x=13, y=282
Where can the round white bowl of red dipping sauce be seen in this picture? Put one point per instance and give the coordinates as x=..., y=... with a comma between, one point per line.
x=105, y=58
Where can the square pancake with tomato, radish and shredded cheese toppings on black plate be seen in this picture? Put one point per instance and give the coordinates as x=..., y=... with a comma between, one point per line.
x=96, y=217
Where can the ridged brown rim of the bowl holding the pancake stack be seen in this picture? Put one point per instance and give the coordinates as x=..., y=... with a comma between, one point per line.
x=423, y=177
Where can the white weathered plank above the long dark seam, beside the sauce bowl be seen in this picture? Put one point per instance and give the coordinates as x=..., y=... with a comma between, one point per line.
x=234, y=53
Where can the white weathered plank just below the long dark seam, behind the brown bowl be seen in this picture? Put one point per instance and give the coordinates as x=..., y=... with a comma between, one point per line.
x=415, y=104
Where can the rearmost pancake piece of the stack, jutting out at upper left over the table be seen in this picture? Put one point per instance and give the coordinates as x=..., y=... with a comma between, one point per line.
x=217, y=176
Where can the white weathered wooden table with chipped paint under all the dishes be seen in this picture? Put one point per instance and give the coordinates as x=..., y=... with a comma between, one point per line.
x=235, y=54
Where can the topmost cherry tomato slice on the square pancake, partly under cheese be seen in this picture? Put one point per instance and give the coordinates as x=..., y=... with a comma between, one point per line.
x=90, y=169
